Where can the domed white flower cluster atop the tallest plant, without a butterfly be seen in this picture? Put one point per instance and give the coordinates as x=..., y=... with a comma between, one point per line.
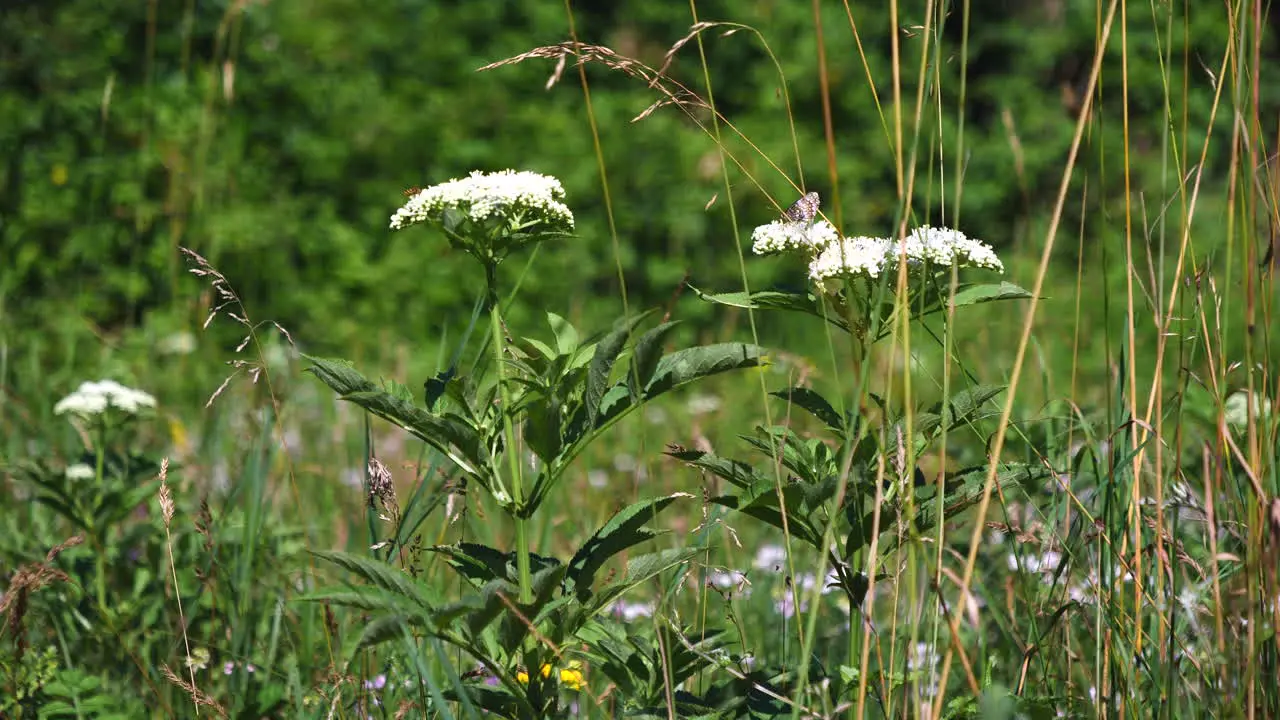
x=506, y=194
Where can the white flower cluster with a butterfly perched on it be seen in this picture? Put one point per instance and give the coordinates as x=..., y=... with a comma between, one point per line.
x=833, y=257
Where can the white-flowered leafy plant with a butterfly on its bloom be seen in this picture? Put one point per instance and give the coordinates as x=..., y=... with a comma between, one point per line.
x=853, y=493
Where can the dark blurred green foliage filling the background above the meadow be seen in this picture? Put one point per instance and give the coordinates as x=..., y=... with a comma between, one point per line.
x=276, y=139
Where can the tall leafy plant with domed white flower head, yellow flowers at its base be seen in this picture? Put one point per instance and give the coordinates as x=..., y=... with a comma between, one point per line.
x=513, y=429
